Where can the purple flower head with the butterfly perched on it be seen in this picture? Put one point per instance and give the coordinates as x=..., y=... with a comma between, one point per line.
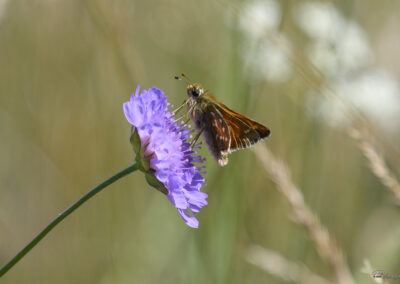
x=165, y=144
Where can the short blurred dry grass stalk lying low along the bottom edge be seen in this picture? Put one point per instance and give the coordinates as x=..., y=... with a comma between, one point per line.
x=277, y=265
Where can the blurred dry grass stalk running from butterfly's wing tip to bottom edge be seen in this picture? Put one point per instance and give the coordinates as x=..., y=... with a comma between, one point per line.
x=326, y=246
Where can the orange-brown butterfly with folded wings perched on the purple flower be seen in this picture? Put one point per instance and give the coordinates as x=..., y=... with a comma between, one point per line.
x=223, y=129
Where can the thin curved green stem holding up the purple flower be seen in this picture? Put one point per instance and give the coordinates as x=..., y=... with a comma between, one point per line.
x=63, y=215
